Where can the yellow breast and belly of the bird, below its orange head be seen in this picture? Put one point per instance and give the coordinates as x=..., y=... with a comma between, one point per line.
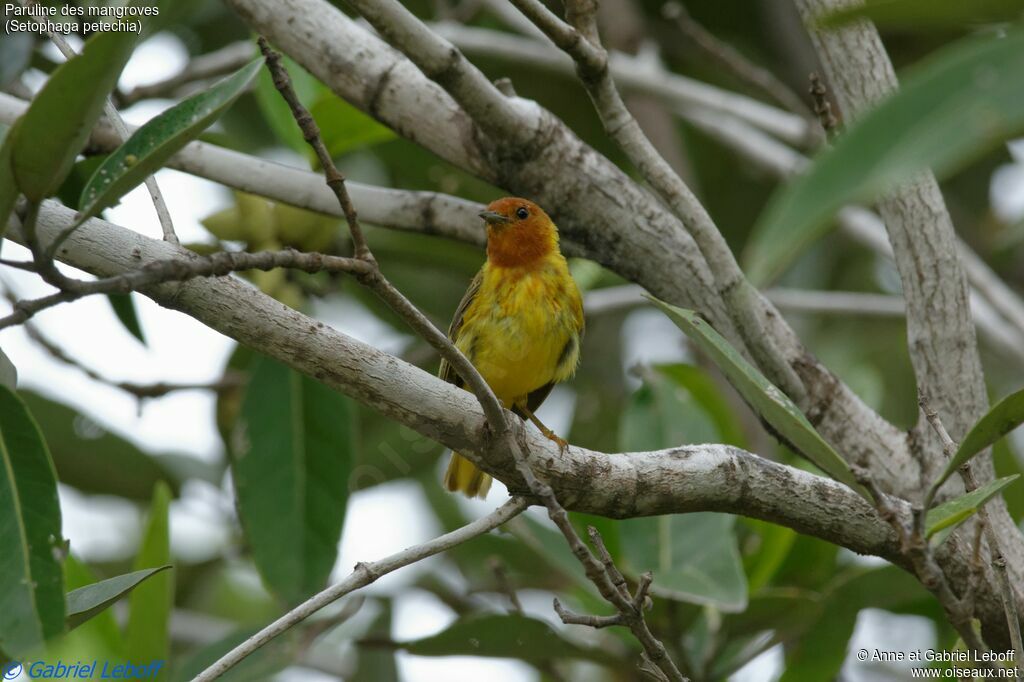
x=523, y=329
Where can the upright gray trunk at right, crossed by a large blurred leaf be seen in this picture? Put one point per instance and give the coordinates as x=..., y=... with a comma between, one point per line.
x=944, y=348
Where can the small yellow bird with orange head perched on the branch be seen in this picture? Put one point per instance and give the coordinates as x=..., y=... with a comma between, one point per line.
x=521, y=323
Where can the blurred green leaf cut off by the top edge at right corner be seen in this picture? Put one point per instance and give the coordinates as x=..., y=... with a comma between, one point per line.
x=926, y=15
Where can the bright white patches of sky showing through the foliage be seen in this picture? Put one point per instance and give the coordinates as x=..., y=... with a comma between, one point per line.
x=182, y=350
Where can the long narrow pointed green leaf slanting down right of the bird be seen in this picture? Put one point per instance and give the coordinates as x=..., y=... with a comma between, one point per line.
x=772, y=404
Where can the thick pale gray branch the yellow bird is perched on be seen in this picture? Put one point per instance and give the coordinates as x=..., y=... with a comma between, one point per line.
x=676, y=481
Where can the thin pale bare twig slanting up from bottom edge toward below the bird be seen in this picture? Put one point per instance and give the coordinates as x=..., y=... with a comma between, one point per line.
x=364, y=575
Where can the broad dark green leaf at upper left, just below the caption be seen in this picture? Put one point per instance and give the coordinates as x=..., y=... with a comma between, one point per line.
x=60, y=119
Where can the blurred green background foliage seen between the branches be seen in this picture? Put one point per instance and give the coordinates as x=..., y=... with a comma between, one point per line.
x=728, y=589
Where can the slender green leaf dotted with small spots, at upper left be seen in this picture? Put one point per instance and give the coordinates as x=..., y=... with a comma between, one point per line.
x=155, y=143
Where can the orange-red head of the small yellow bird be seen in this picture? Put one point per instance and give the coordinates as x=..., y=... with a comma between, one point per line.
x=520, y=233
